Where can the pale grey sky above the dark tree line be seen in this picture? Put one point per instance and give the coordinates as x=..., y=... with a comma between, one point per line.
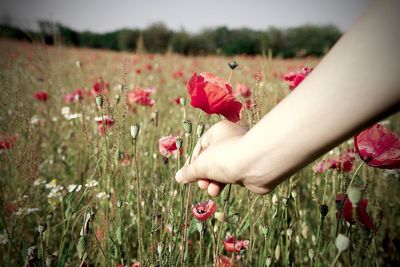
x=191, y=15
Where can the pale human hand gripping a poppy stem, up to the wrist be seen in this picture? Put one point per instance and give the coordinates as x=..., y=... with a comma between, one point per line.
x=219, y=159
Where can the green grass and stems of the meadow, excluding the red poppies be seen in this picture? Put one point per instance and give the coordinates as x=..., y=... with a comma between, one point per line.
x=144, y=200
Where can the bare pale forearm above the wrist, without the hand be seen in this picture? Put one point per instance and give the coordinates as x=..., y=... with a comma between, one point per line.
x=356, y=84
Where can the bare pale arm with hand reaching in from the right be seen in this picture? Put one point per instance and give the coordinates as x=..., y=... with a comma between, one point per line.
x=355, y=85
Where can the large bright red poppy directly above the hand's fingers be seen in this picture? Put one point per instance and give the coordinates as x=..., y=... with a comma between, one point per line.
x=214, y=96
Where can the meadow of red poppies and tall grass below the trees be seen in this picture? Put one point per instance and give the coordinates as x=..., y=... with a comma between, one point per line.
x=90, y=141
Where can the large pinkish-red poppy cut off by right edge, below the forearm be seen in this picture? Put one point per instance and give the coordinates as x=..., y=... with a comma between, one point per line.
x=378, y=147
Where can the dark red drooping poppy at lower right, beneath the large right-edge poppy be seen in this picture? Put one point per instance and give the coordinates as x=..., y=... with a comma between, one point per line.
x=347, y=211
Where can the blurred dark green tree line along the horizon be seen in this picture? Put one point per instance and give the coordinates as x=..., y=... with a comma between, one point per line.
x=306, y=40
